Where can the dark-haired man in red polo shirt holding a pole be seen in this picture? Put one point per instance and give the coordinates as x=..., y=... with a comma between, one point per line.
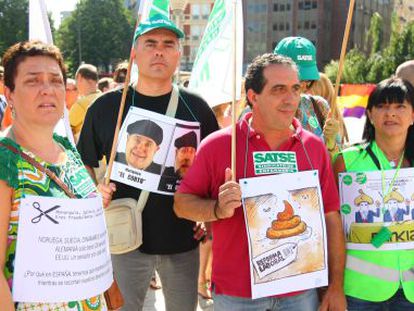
x=207, y=193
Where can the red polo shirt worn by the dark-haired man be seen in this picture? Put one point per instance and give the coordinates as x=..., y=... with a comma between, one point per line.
x=231, y=272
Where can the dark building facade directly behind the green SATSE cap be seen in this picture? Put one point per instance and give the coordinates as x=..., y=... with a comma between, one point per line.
x=269, y=21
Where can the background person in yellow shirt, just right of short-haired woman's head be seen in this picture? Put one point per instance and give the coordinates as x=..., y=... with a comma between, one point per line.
x=87, y=84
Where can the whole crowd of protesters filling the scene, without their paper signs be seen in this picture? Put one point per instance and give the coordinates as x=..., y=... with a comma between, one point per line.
x=287, y=107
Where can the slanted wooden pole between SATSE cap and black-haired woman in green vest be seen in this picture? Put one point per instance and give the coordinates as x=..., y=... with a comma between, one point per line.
x=334, y=106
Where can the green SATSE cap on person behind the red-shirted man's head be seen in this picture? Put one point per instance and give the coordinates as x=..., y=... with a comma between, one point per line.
x=303, y=53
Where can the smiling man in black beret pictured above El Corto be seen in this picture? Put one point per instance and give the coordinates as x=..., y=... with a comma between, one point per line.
x=144, y=138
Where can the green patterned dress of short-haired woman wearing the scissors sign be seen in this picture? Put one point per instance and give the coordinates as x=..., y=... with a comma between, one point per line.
x=27, y=180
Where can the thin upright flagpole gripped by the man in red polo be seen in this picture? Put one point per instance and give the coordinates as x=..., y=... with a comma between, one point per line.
x=233, y=104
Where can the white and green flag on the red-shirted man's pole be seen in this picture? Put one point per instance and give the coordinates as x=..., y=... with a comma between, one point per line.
x=212, y=74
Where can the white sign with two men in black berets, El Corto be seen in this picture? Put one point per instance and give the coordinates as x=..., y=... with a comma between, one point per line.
x=154, y=151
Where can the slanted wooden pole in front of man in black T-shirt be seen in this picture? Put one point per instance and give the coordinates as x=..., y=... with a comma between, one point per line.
x=121, y=111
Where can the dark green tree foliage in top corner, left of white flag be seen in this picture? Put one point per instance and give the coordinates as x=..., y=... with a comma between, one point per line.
x=14, y=22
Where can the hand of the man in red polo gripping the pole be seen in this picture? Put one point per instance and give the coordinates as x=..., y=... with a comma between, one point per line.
x=229, y=197
